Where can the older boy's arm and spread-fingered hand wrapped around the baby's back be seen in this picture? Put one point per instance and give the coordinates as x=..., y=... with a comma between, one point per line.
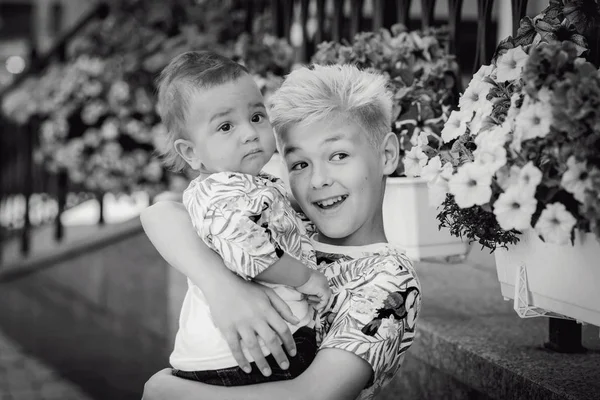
x=240, y=309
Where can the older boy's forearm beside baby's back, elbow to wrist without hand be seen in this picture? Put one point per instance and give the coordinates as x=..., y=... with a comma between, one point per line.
x=168, y=226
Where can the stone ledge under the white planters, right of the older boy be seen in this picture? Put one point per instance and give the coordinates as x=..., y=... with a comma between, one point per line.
x=471, y=334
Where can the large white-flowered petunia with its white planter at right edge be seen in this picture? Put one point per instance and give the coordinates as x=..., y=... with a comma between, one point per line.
x=519, y=166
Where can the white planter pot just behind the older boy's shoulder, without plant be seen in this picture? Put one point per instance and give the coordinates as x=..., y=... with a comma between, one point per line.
x=410, y=222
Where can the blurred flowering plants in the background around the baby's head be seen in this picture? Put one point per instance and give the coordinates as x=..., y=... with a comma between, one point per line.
x=97, y=110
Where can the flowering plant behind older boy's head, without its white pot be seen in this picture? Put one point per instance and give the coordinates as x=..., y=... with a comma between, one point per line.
x=422, y=76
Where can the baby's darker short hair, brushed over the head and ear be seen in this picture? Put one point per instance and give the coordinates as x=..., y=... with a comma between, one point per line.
x=185, y=75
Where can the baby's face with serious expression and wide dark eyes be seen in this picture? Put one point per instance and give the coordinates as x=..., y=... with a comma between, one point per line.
x=229, y=127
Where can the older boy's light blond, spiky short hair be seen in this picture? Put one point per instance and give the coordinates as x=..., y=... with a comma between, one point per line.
x=310, y=95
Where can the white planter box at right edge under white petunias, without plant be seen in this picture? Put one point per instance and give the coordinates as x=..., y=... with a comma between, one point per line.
x=560, y=279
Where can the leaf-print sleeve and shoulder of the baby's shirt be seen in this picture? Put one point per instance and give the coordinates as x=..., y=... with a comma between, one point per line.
x=248, y=220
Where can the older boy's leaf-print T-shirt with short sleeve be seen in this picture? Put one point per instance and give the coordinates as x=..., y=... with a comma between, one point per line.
x=374, y=308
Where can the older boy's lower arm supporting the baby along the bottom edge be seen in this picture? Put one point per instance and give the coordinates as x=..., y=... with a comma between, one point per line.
x=334, y=375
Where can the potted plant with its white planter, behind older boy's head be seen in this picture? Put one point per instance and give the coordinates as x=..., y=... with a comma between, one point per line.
x=422, y=76
